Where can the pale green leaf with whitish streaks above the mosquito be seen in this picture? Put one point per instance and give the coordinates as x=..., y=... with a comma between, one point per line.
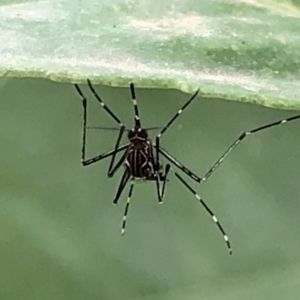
x=235, y=50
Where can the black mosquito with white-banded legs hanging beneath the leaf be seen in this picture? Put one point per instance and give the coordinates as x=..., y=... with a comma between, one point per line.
x=141, y=156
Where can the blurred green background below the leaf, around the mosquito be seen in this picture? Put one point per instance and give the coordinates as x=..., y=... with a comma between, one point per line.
x=60, y=233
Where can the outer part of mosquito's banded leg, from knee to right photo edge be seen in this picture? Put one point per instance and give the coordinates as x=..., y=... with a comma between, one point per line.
x=241, y=137
